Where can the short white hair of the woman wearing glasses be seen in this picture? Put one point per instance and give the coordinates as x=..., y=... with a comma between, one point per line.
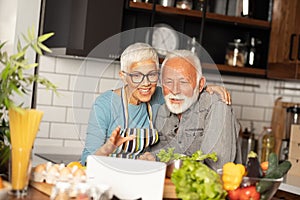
x=138, y=52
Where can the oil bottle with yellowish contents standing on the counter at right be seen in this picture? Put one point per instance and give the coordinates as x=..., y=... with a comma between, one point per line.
x=268, y=144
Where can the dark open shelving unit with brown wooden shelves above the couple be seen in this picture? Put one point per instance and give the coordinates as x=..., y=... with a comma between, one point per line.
x=218, y=30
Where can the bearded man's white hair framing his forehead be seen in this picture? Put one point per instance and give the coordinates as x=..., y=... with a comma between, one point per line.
x=188, y=56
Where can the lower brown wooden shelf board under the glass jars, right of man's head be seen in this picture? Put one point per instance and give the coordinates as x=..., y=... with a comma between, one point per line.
x=237, y=70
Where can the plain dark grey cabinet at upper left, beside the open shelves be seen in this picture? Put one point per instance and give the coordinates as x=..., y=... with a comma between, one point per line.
x=81, y=25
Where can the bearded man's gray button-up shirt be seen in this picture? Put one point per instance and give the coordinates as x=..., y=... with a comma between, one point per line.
x=209, y=125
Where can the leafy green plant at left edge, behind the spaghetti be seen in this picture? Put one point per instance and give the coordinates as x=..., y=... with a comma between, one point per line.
x=15, y=80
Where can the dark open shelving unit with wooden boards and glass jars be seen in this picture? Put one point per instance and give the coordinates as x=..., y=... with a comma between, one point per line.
x=216, y=30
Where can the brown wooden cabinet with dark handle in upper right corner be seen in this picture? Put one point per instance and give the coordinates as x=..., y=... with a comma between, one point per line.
x=284, y=54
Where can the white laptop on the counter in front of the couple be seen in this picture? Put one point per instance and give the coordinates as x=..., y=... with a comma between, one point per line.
x=128, y=179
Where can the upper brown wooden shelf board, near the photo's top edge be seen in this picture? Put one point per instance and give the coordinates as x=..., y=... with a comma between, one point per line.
x=210, y=16
